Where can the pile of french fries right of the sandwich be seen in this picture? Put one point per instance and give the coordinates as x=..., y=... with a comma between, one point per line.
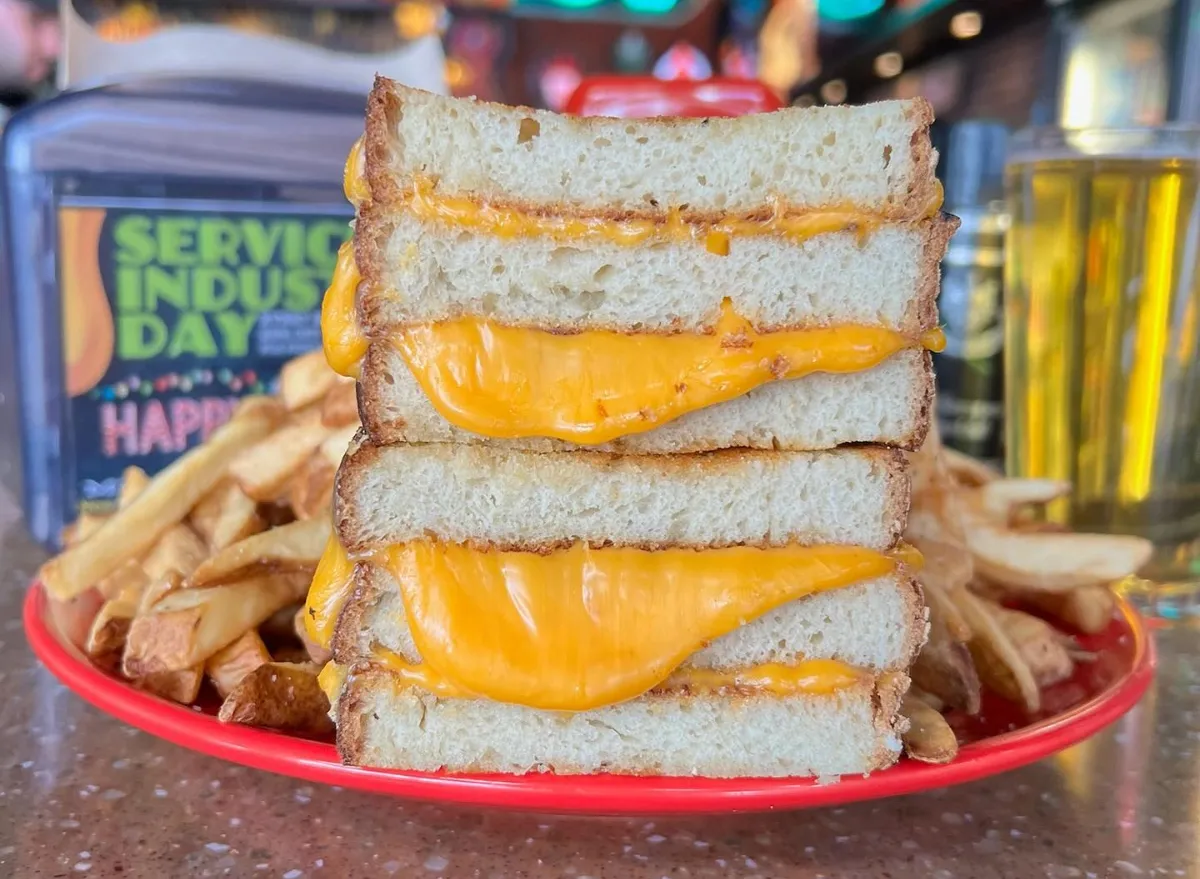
x=989, y=560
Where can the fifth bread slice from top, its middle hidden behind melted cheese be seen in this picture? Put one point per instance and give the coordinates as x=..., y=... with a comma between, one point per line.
x=878, y=625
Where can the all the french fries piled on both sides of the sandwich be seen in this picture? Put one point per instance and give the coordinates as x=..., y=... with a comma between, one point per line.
x=202, y=572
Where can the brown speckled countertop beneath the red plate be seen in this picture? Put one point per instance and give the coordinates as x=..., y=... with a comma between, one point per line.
x=82, y=794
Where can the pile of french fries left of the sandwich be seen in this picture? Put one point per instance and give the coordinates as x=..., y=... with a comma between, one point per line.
x=201, y=573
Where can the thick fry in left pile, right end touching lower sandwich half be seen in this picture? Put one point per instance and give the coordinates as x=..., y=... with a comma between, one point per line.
x=290, y=548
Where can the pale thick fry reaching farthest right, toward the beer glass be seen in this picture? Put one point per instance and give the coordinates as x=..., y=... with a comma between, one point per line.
x=1054, y=563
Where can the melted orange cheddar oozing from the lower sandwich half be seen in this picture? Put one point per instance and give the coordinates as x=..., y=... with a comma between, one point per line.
x=581, y=627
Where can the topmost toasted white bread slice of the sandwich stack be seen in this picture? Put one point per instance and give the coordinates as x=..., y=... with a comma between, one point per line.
x=875, y=158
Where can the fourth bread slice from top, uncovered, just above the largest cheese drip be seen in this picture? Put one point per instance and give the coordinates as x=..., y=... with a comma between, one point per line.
x=536, y=501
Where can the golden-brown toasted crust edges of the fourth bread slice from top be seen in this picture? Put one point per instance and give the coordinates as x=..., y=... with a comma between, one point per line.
x=363, y=457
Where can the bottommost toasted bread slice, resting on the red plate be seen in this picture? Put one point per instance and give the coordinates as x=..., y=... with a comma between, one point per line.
x=676, y=733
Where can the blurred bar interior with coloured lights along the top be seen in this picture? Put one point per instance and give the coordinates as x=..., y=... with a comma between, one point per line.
x=1082, y=63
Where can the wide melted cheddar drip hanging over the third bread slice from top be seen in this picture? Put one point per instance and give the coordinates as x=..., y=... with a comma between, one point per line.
x=599, y=386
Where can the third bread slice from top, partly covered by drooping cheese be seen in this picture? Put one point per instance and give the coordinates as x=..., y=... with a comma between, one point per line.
x=889, y=404
